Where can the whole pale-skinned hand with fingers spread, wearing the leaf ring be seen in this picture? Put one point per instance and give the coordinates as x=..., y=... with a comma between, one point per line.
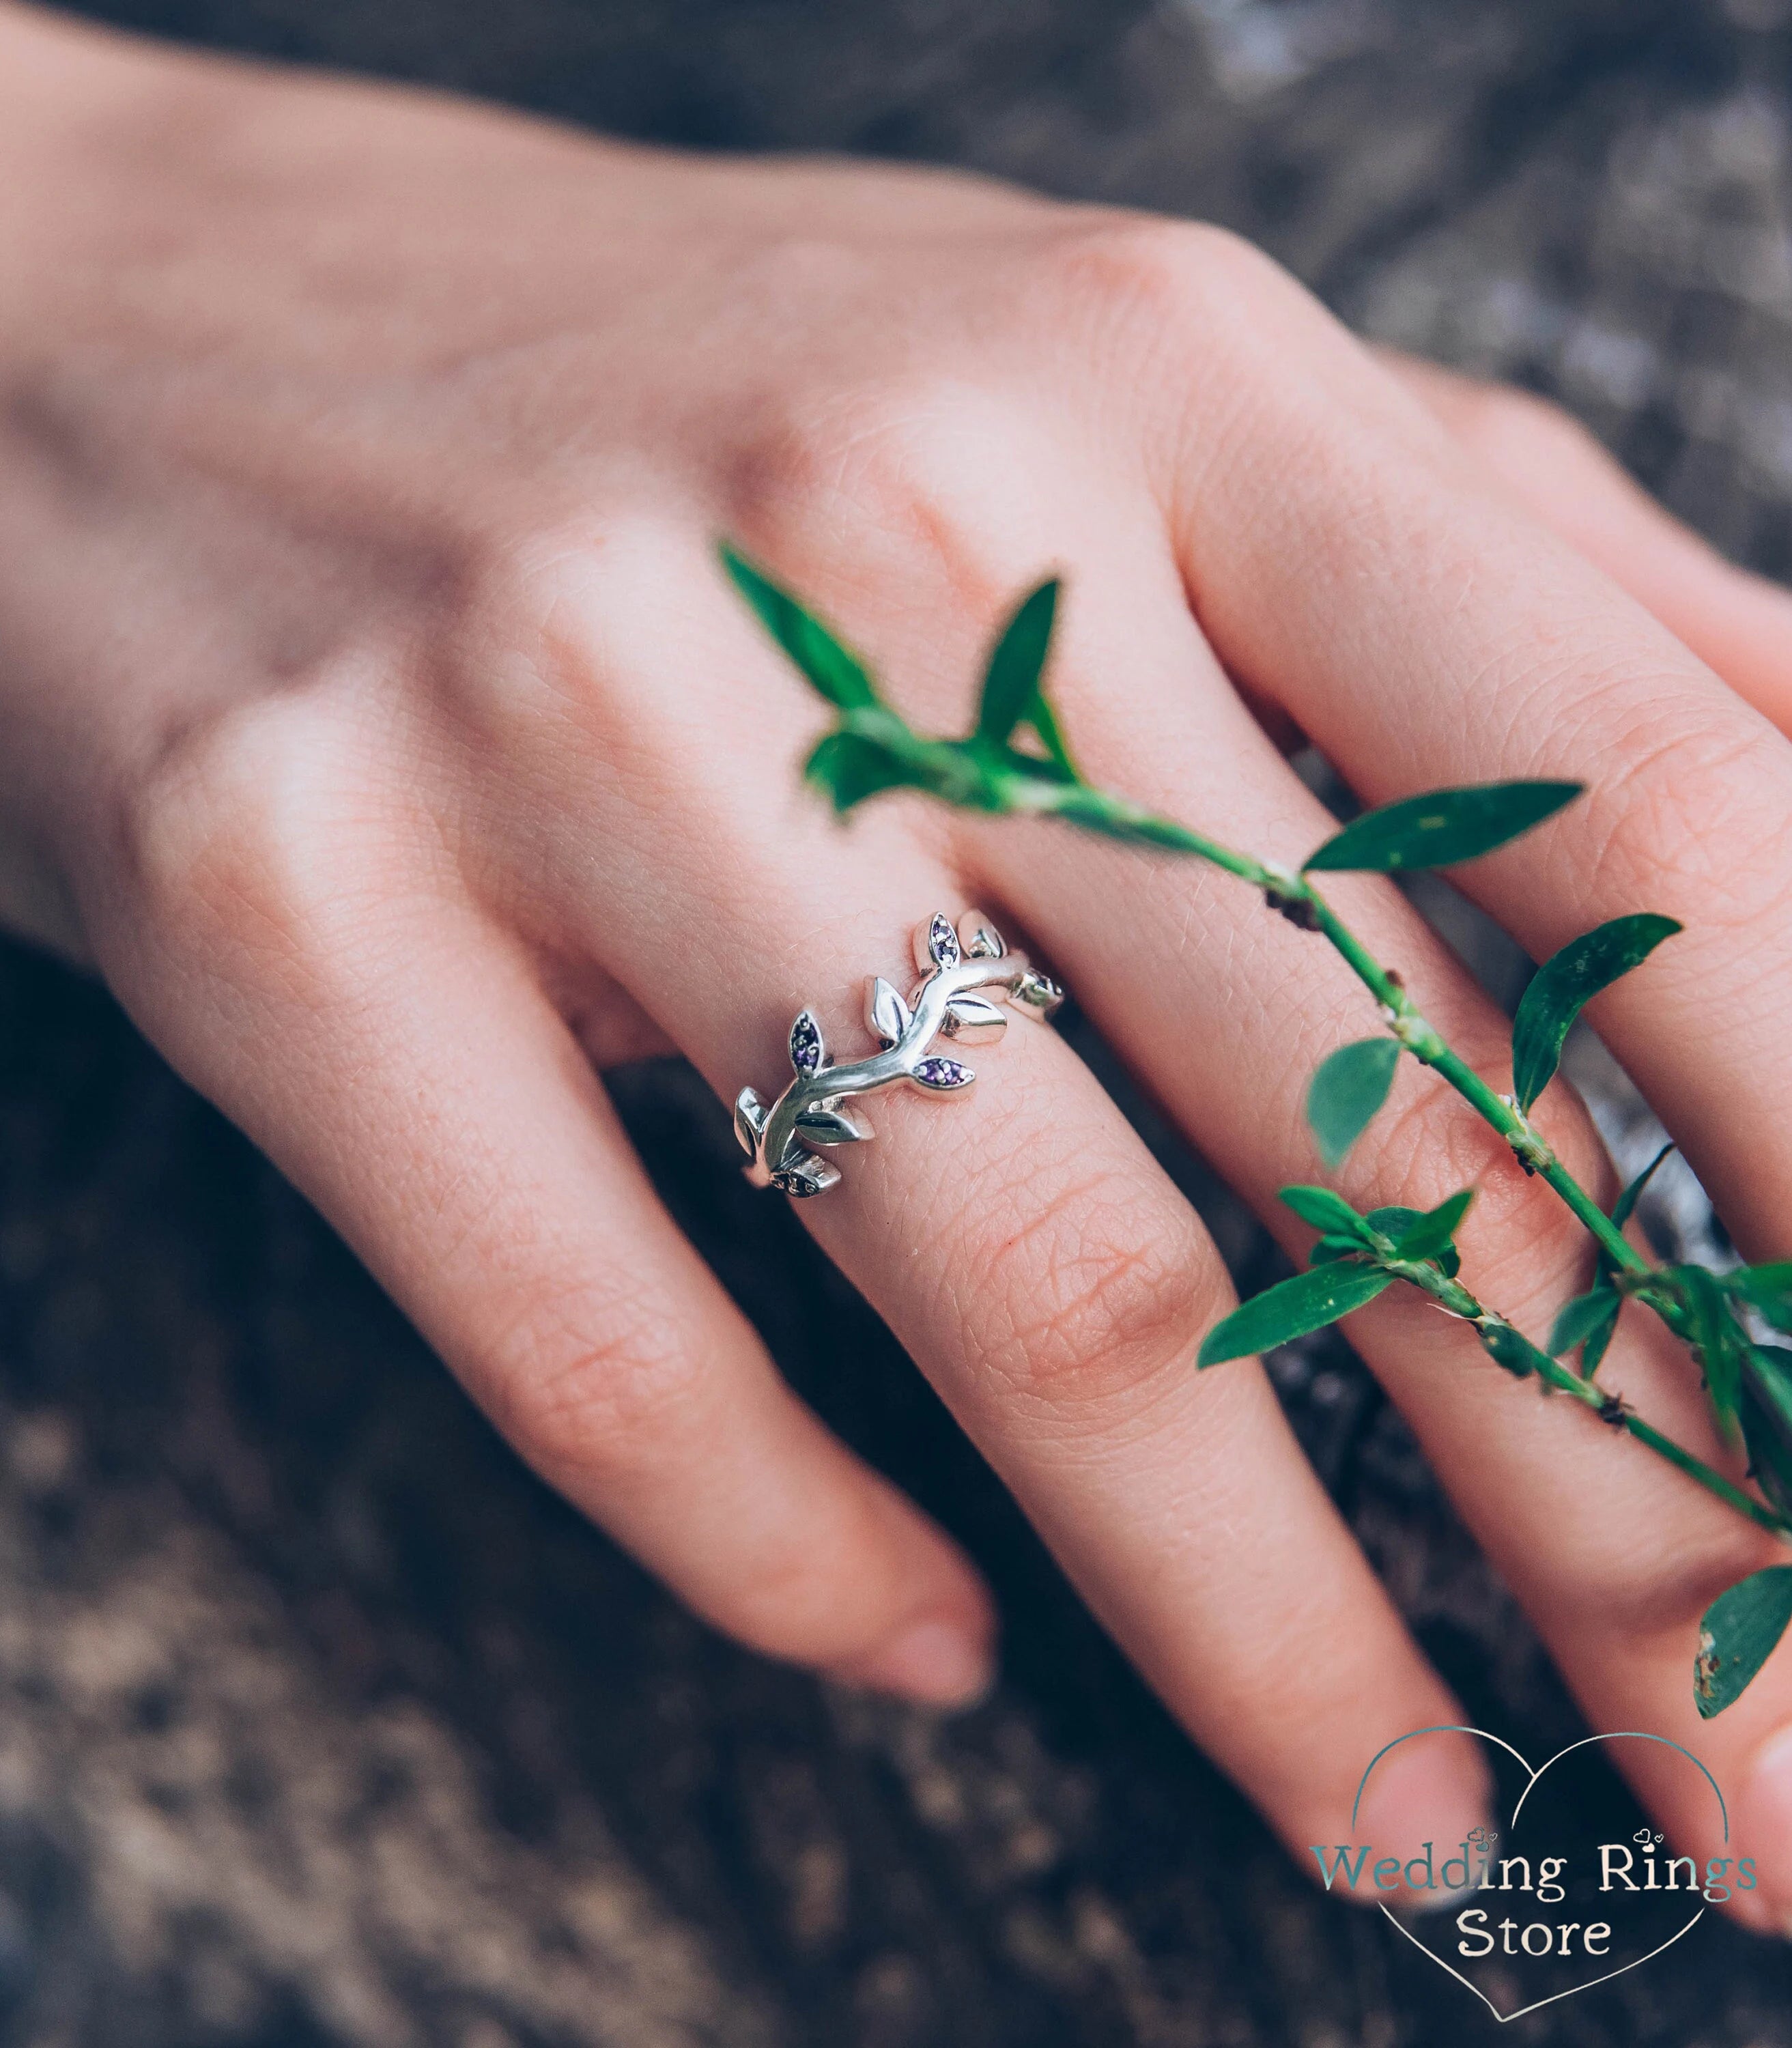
x=380, y=726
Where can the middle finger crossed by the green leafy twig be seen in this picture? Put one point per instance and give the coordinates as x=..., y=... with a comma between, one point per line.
x=1226, y=1011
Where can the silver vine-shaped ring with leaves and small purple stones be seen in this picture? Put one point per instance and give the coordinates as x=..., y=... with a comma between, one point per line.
x=962, y=970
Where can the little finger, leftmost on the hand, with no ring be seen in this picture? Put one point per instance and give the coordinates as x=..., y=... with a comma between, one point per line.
x=398, y=1060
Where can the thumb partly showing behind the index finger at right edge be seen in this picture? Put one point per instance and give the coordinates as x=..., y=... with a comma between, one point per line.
x=1551, y=468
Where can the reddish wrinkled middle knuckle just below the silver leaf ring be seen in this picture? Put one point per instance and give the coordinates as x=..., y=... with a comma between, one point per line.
x=1095, y=1295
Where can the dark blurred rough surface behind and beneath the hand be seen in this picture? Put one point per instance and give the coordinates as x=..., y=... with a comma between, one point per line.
x=321, y=1723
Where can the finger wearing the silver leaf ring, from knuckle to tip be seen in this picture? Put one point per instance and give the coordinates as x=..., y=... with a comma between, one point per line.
x=1023, y=1244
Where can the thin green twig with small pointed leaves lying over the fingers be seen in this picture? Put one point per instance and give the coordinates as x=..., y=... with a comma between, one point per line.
x=1017, y=763
